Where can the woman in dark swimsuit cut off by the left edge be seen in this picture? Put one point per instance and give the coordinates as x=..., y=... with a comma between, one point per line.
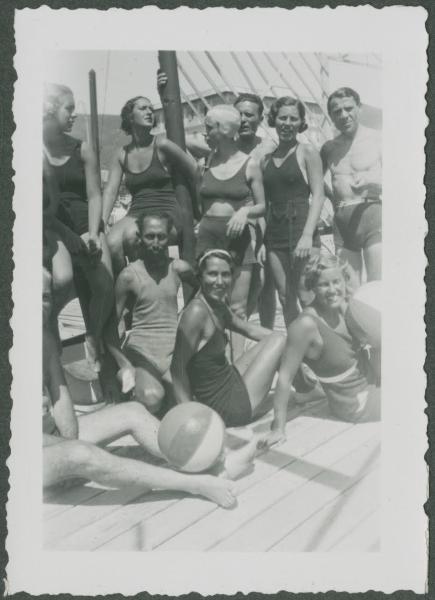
x=72, y=200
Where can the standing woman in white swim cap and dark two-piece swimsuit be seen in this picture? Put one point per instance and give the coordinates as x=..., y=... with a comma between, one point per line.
x=231, y=194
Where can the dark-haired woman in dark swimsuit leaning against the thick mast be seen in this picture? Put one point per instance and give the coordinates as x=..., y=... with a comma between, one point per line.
x=146, y=164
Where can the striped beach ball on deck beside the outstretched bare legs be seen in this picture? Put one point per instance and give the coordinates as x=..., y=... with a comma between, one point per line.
x=191, y=437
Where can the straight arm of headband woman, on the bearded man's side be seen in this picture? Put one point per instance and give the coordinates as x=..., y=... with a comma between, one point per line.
x=189, y=333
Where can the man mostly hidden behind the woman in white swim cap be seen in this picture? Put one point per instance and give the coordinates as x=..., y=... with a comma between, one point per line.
x=251, y=108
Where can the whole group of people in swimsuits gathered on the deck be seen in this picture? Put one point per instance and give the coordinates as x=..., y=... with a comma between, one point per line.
x=260, y=203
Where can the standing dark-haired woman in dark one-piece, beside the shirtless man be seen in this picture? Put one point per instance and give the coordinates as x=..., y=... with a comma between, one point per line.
x=291, y=174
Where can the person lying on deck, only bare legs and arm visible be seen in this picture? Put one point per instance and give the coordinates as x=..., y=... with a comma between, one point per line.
x=71, y=446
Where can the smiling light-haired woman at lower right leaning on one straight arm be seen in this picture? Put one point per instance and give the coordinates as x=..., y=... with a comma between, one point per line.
x=321, y=338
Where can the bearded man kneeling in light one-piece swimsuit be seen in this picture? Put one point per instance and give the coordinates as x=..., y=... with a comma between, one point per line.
x=149, y=287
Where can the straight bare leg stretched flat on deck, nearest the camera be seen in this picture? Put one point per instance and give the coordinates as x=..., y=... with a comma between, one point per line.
x=70, y=459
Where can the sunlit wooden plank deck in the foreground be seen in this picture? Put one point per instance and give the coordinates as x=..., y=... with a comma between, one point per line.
x=319, y=491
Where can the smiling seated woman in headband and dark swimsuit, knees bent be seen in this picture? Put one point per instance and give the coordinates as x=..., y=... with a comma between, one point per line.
x=199, y=367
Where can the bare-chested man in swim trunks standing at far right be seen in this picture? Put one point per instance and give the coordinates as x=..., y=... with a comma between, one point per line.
x=354, y=160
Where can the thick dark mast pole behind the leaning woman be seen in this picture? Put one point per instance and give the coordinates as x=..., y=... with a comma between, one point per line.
x=171, y=103
